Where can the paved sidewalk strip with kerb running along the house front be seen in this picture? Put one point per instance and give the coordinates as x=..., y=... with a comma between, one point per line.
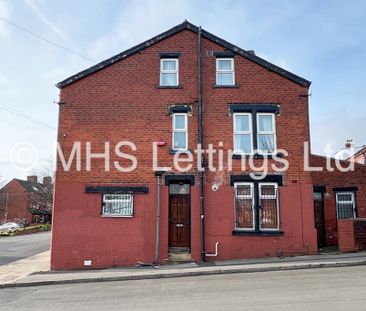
x=170, y=271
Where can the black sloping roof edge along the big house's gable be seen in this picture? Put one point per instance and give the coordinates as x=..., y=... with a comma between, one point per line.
x=185, y=25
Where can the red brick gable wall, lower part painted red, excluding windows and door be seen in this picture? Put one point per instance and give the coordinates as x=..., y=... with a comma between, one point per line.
x=122, y=102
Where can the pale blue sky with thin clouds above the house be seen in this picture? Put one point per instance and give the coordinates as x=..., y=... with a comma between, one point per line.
x=322, y=41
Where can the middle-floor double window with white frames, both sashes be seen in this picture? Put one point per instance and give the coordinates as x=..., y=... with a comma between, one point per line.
x=261, y=137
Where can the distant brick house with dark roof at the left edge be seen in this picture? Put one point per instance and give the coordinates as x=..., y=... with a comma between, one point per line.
x=23, y=201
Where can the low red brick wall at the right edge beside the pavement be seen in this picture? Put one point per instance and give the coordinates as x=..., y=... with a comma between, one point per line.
x=352, y=234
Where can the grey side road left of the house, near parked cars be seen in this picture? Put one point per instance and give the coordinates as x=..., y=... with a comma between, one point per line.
x=19, y=247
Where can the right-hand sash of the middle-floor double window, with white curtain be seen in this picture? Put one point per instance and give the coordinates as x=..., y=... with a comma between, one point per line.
x=266, y=132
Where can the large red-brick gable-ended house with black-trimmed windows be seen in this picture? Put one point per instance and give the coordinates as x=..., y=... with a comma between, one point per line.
x=183, y=87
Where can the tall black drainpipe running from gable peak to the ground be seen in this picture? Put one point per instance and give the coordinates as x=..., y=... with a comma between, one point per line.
x=200, y=140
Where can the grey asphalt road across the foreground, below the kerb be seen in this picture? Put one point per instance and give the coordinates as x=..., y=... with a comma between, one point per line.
x=318, y=289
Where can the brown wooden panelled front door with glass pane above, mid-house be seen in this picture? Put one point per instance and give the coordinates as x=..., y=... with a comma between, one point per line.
x=179, y=215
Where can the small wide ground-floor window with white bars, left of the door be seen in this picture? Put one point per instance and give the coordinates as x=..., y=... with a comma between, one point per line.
x=117, y=205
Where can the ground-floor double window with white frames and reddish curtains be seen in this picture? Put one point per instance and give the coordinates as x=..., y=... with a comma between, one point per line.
x=252, y=214
